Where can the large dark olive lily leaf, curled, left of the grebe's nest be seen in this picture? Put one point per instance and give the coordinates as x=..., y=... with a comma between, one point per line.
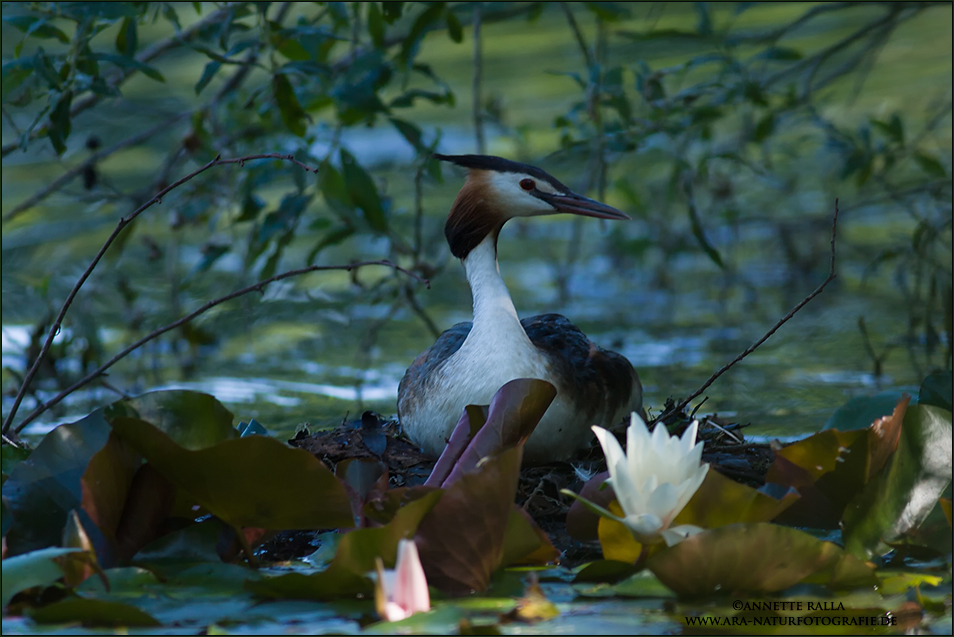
x=247, y=482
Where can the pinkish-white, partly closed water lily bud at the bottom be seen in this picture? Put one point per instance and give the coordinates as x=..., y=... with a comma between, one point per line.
x=400, y=593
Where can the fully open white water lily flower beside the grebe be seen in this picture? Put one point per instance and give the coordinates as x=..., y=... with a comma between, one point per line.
x=654, y=479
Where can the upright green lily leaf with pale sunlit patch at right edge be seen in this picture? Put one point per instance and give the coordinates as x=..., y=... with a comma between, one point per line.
x=902, y=495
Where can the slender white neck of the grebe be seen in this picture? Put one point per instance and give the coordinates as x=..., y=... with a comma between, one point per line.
x=493, y=307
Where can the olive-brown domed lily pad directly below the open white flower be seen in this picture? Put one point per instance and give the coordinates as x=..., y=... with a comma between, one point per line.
x=753, y=559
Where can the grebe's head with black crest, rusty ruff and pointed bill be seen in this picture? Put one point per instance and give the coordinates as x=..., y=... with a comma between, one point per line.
x=498, y=190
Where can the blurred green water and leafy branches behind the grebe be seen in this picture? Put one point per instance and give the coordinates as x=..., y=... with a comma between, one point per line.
x=727, y=131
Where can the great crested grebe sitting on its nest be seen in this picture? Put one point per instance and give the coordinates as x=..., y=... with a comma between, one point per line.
x=470, y=361
